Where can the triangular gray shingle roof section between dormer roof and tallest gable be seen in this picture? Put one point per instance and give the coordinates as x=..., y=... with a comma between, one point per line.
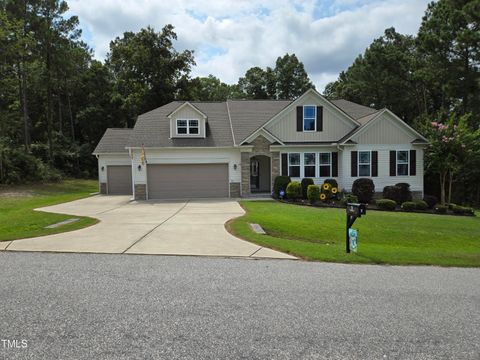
x=248, y=115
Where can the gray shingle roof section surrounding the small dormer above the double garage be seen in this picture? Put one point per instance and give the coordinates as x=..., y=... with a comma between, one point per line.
x=152, y=129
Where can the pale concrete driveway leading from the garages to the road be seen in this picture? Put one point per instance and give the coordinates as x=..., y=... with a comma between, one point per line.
x=193, y=227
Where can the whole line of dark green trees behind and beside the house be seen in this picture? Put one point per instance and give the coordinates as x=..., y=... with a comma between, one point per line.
x=56, y=100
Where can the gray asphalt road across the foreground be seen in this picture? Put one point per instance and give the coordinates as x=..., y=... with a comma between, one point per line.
x=73, y=306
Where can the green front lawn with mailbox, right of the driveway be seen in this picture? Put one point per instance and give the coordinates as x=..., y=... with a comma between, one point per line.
x=384, y=237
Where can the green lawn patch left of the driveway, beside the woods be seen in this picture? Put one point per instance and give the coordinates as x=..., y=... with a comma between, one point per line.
x=18, y=220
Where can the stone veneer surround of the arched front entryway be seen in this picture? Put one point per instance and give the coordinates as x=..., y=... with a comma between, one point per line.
x=261, y=146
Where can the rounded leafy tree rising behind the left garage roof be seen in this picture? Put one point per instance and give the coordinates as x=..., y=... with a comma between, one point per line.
x=148, y=71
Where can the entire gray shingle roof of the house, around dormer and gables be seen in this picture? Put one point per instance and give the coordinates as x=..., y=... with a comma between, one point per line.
x=243, y=117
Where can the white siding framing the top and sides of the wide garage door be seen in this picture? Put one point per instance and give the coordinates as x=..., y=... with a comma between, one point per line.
x=188, y=156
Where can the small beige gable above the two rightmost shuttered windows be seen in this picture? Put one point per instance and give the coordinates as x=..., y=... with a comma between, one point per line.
x=385, y=129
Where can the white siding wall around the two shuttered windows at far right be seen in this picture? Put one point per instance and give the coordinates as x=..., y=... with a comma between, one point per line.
x=383, y=179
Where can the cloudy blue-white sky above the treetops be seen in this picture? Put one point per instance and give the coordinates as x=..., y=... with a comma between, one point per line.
x=230, y=36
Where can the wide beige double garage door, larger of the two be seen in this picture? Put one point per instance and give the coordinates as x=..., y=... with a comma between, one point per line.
x=177, y=181
